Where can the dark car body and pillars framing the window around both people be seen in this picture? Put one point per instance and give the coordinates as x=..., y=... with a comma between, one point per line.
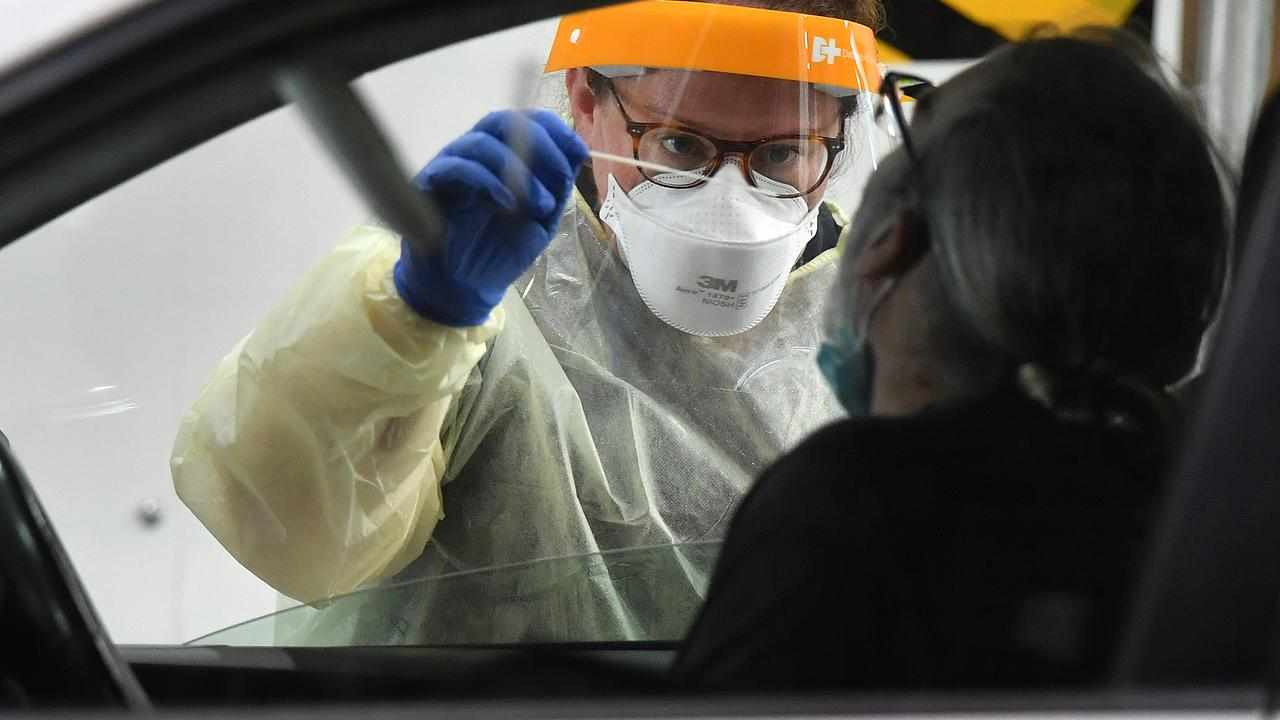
x=1204, y=632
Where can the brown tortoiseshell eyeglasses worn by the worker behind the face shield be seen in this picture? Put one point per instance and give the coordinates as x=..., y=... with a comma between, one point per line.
x=785, y=166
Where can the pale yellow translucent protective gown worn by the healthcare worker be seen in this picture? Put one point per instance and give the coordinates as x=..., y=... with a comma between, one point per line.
x=573, y=422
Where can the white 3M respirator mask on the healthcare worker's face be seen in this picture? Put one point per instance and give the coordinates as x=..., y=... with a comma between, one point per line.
x=710, y=261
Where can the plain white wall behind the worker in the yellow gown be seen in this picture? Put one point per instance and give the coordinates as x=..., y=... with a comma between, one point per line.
x=122, y=307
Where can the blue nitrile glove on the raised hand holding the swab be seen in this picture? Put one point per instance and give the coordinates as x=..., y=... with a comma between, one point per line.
x=501, y=212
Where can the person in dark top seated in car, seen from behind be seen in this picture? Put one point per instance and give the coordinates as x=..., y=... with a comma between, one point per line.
x=1026, y=280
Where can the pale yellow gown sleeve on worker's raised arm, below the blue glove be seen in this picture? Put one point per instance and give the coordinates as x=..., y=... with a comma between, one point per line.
x=314, y=453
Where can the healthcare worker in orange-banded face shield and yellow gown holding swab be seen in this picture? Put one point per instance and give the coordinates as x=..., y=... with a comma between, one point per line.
x=577, y=372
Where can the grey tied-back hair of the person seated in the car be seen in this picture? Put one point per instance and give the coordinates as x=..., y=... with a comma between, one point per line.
x=1075, y=216
